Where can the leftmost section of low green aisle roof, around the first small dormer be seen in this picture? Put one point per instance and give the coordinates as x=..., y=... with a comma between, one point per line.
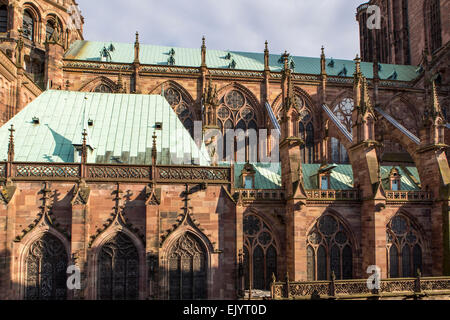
x=267, y=176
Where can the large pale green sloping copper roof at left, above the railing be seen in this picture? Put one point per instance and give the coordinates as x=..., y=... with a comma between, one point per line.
x=123, y=125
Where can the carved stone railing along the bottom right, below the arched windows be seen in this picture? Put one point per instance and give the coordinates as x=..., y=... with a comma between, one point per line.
x=348, y=289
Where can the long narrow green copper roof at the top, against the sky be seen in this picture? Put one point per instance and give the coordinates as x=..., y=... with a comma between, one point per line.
x=188, y=57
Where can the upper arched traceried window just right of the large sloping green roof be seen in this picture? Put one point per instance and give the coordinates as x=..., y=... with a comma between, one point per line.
x=236, y=112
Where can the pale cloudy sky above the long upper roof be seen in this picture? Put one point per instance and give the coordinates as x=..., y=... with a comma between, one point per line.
x=299, y=26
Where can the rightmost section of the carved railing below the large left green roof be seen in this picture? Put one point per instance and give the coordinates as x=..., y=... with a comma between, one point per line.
x=177, y=174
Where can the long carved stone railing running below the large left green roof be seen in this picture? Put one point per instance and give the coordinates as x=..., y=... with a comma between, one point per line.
x=112, y=172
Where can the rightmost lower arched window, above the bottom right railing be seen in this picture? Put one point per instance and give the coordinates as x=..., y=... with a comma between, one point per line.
x=404, y=247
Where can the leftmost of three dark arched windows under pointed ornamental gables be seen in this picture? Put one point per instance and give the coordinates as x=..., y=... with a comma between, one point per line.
x=46, y=267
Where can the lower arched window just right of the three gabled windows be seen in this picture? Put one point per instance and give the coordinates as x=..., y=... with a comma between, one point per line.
x=260, y=253
